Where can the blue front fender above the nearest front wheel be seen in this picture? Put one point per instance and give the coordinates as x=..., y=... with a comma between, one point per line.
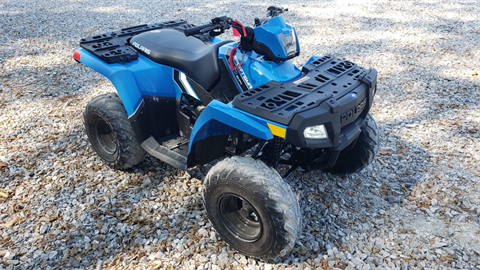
x=219, y=119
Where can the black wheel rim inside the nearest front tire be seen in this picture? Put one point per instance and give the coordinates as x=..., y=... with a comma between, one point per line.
x=240, y=218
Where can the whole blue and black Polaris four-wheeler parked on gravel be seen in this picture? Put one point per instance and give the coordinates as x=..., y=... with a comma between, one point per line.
x=188, y=97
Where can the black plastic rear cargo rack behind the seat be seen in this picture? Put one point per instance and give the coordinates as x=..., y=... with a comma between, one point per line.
x=113, y=47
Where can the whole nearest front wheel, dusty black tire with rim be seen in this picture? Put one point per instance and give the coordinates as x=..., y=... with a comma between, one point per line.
x=252, y=208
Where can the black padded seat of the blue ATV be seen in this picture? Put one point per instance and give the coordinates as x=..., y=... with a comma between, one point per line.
x=196, y=59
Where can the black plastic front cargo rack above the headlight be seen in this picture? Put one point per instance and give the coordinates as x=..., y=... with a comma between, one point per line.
x=326, y=78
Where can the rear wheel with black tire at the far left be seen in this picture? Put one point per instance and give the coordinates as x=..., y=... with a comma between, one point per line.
x=110, y=133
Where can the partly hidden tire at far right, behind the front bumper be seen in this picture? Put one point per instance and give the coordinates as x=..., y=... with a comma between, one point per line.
x=362, y=153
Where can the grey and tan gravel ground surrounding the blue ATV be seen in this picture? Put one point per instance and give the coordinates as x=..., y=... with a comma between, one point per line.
x=417, y=206
